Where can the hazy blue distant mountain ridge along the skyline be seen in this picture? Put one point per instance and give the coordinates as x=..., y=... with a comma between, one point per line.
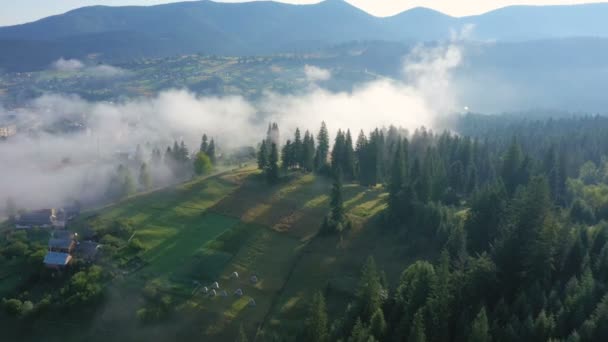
x=266, y=27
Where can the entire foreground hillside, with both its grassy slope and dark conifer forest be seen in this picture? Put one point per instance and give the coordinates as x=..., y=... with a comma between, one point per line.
x=495, y=231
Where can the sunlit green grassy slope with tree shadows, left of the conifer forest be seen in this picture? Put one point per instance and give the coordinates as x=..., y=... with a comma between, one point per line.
x=204, y=230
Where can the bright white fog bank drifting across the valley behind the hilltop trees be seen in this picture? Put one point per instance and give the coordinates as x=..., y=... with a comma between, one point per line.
x=33, y=170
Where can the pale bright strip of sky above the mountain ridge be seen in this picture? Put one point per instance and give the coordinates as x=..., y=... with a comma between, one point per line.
x=20, y=11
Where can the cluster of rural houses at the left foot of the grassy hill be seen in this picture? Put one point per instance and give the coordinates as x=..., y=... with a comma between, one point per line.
x=63, y=245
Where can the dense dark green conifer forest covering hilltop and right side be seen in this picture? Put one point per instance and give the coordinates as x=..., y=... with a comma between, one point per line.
x=517, y=207
